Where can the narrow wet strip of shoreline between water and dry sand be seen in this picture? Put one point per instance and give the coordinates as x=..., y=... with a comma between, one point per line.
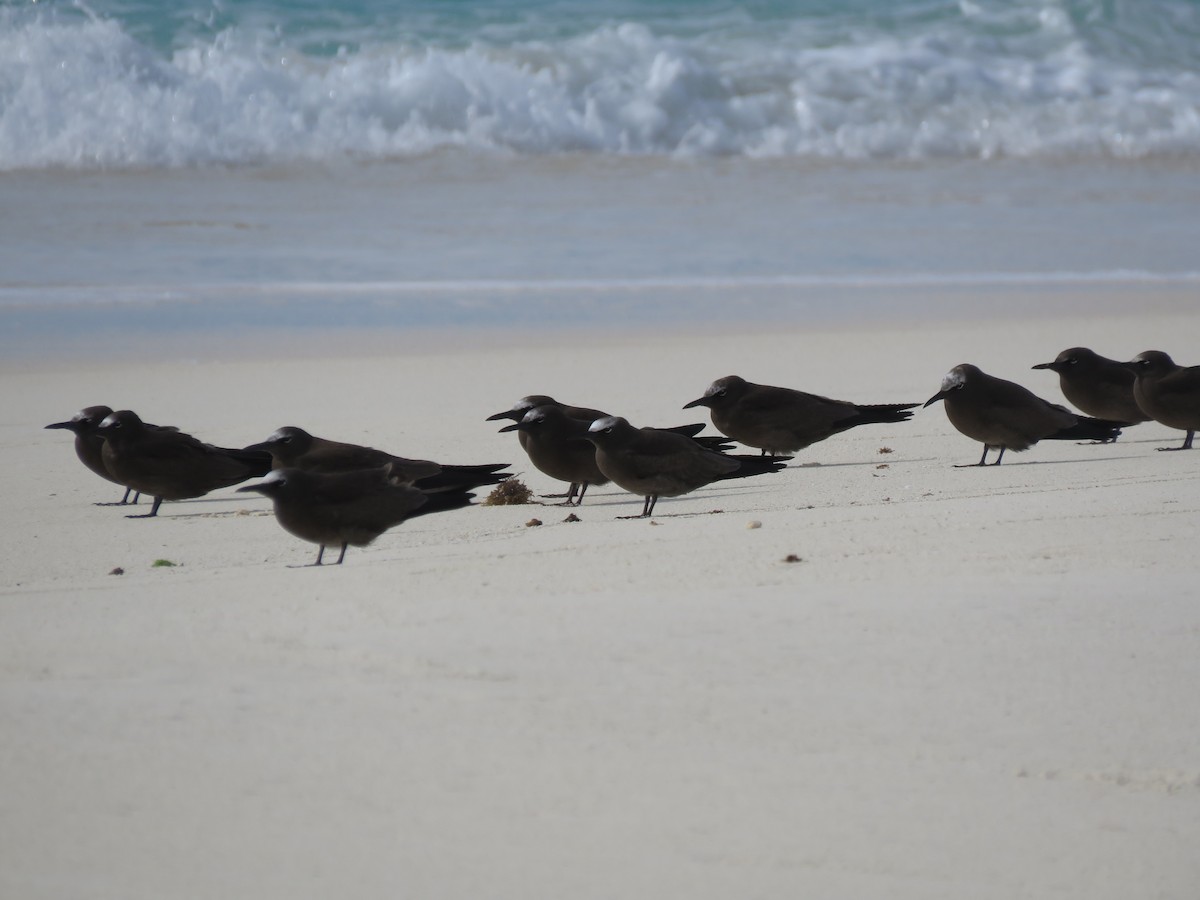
x=158, y=333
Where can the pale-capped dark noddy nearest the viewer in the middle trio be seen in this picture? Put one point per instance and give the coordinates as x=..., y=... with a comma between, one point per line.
x=663, y=464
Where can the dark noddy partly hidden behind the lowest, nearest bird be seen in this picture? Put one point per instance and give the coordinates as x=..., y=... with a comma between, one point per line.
x=292, y=448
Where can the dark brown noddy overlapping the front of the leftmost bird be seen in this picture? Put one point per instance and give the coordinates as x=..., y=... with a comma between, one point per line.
x=172, y=465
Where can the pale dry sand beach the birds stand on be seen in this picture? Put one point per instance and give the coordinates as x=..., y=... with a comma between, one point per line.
x=974, y=683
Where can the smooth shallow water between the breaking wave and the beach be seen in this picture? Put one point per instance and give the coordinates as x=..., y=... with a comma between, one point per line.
x=460, y=242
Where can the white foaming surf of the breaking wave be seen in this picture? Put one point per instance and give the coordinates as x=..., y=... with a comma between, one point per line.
x=86, y=94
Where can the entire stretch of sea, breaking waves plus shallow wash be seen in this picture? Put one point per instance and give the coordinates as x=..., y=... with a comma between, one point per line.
x=175, y=166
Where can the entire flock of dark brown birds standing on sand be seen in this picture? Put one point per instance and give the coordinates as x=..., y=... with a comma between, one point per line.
x=335, y=494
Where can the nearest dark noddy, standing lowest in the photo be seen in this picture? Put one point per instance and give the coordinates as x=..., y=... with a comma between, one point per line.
x=352, y=507
